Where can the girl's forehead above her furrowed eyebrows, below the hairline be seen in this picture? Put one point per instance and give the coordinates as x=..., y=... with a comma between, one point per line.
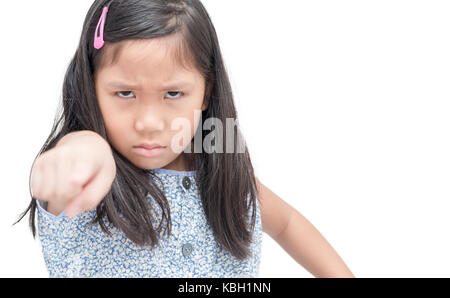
x=163, y=58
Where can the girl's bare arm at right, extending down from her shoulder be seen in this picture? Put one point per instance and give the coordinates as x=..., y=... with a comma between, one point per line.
x=298, y=237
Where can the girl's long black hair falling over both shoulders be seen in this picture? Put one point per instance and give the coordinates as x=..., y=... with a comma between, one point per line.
x=226, y=181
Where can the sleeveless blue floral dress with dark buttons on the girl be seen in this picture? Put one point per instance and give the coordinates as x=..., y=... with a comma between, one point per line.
x=72, y=248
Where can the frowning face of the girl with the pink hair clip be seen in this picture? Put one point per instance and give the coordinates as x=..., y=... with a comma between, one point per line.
x=144, y=108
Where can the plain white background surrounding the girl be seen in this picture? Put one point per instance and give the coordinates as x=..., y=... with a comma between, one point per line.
x=344, y=105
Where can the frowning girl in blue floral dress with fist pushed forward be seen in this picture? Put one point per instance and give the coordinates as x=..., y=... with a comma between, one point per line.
x=143, y=208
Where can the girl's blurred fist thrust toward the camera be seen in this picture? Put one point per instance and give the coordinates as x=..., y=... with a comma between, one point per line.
x=74, y=175
